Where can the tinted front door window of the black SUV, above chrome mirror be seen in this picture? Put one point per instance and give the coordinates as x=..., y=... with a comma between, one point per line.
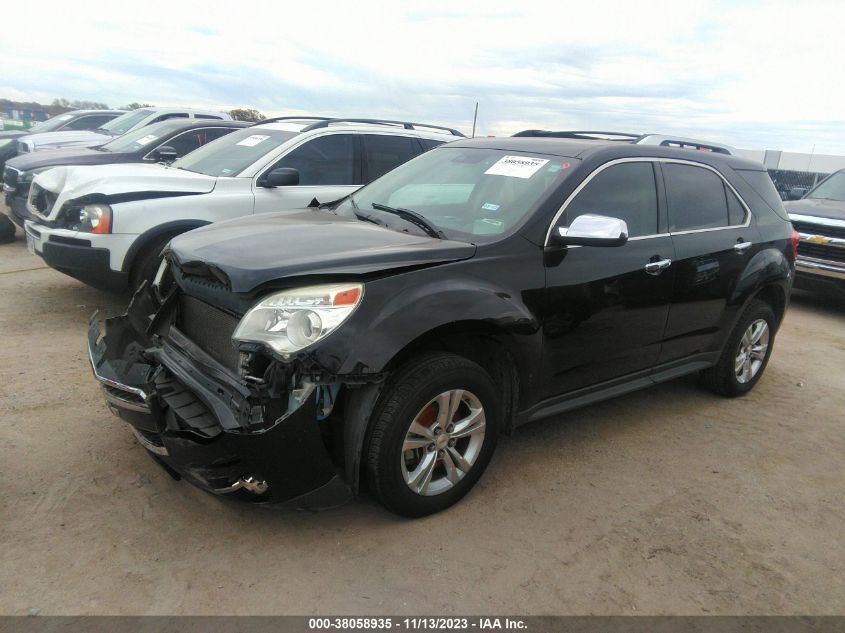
x=626, y=191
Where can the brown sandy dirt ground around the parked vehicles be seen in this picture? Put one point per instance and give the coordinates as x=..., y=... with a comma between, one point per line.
x=668, y=501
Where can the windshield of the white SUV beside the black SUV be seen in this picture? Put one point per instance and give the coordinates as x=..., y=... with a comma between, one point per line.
x=231, y=154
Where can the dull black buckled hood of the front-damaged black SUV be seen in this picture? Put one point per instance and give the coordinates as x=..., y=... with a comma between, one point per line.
x=255, y=250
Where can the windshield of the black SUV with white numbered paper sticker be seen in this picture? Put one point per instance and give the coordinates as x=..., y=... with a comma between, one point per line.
x=467, y=194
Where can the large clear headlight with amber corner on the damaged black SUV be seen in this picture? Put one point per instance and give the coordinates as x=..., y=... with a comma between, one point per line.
x=294, y=319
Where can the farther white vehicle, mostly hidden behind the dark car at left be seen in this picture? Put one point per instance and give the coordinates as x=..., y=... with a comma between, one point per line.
x=115, y=127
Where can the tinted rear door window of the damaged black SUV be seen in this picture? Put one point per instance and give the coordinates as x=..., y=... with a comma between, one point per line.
x=696, y=198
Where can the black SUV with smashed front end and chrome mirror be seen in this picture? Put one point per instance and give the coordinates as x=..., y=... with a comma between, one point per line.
x=385, y=340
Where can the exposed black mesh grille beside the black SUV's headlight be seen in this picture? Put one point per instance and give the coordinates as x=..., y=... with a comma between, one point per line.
x=210, y=328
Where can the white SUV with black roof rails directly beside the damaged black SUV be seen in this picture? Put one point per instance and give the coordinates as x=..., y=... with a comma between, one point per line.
x=106, y=225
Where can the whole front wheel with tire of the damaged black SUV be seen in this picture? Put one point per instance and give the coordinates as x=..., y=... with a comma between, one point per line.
x=413, y=395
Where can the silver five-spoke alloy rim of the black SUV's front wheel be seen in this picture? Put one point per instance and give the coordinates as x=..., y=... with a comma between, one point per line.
x=443, y=442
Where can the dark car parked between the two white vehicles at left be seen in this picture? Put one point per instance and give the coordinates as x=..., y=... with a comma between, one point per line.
x=161, y=142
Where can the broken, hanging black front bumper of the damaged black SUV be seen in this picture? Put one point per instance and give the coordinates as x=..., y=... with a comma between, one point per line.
x=156, y=388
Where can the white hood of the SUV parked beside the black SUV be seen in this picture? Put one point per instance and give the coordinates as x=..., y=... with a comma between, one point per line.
x=114, y=182
